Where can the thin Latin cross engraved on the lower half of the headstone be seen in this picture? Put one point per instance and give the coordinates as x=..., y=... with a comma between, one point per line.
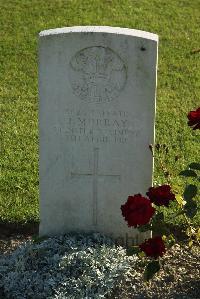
x=95, y=174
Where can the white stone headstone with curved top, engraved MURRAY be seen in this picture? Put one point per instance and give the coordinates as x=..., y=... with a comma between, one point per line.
x=97, y=106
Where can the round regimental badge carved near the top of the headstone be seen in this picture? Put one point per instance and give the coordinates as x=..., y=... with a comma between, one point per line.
x=97, y=74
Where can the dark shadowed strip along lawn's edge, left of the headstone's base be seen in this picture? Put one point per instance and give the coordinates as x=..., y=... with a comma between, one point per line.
x=8, y=228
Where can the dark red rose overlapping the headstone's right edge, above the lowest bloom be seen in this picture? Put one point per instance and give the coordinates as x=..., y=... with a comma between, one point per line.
x=161, y=195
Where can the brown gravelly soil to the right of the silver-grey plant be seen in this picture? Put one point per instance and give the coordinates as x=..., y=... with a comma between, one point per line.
x=179, y=277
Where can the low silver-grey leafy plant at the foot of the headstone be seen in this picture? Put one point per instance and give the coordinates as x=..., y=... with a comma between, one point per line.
x=68, y=266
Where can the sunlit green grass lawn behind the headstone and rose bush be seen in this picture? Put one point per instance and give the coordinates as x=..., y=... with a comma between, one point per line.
x=178, y=92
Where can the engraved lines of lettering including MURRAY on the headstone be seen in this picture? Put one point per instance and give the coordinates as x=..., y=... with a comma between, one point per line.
x=98, y=126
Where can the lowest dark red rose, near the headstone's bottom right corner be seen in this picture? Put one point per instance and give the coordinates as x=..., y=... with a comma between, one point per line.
x=154, y=247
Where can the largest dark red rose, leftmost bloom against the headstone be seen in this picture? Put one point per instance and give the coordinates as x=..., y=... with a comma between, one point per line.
x=137, y=210
